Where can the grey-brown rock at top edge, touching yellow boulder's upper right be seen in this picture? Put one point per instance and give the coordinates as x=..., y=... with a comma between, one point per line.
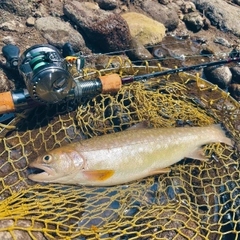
x=165, y=14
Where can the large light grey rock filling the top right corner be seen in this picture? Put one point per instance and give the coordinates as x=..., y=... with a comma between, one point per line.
x=221, y=14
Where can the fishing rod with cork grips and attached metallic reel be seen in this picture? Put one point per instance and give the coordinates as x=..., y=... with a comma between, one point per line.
x=48, y=81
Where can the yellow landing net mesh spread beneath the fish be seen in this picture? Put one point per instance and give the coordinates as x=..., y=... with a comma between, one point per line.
x=194, y=201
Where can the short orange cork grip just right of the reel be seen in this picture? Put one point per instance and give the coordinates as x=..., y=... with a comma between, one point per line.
x=111, y=83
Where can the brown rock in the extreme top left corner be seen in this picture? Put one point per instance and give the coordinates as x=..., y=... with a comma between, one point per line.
x=21, y=8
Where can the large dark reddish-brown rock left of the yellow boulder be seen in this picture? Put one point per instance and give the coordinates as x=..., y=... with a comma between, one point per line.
x=107, y=30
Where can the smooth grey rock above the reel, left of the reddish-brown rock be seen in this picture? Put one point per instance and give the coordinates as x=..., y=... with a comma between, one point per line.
x=58, y=33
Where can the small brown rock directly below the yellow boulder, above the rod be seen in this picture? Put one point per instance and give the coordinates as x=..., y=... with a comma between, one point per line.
x=138, y=51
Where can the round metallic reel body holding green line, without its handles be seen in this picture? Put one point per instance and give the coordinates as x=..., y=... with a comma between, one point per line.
x=45, y=74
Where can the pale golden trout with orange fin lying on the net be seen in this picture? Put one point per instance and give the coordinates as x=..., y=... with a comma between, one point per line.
x=122, y=157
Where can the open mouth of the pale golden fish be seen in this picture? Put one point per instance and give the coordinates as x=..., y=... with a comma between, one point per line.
x=39, y=172
